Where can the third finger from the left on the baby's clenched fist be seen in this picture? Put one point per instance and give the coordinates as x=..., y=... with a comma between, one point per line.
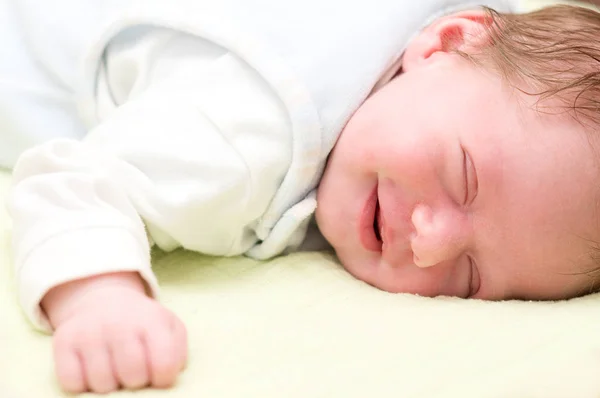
x=131, y=364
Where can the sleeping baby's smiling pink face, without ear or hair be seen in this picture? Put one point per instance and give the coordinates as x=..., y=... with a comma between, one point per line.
x=446, y=182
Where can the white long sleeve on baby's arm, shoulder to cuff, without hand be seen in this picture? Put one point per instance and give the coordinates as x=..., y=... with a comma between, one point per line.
x=190, y=148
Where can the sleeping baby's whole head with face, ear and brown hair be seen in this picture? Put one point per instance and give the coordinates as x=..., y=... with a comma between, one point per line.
x=475, y=172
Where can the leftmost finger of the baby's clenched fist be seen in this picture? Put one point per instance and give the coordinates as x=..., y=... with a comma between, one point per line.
x=69, y=369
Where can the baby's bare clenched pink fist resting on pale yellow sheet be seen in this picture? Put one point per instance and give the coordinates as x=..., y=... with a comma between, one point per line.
x=114, y=337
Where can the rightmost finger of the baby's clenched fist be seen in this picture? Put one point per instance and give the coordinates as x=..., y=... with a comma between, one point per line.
x=163, y=356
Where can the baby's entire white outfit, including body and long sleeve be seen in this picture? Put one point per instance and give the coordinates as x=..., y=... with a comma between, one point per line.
x=184, y=123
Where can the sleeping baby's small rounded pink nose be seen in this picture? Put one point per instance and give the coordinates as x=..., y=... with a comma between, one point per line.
x=441, y=234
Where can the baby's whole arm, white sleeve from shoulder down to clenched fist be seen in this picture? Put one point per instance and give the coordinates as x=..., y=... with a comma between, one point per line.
x=196, y=150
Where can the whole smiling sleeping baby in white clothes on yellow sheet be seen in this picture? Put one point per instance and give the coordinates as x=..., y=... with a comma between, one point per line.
x=464, y=163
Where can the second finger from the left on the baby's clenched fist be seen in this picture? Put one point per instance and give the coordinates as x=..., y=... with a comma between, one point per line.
x=99, y=370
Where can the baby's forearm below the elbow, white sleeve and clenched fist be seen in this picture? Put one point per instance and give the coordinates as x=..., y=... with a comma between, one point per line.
x=80, y=249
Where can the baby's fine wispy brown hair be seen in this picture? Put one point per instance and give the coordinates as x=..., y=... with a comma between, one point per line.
x=551, y=54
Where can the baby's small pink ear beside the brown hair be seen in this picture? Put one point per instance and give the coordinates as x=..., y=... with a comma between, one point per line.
x=453, y=32
